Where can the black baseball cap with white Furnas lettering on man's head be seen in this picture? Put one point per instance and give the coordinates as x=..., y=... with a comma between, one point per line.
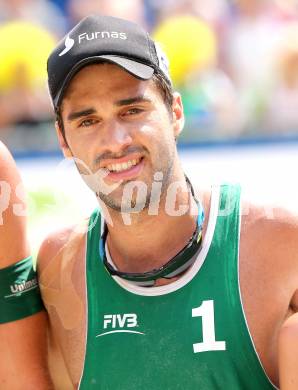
x=99, y=38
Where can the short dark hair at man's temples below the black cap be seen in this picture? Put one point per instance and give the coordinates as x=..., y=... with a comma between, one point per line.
x=159, y=80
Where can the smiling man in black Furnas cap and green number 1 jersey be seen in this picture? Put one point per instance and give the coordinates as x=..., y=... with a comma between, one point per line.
x=149, y=294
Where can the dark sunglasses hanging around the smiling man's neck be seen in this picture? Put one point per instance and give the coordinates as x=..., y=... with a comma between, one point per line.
x=173, y=267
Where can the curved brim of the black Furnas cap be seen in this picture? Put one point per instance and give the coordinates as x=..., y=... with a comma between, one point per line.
x=136, y=69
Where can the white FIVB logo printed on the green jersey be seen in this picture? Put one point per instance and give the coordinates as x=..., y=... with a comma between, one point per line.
x=120, y=323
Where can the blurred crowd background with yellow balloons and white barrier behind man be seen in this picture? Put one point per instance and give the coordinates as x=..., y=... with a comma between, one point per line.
x=235, y=63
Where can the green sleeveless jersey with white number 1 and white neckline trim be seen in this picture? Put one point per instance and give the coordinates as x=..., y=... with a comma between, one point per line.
x=190, y=334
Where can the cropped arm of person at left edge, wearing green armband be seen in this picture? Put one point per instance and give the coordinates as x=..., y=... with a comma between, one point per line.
x=23, y=362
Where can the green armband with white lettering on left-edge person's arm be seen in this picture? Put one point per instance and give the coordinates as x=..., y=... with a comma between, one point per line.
x=19, y=291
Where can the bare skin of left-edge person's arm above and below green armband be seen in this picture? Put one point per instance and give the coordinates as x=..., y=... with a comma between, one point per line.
x=23, y=354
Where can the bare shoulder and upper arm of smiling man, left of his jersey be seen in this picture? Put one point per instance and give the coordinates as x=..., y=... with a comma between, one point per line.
x=58, y=265
